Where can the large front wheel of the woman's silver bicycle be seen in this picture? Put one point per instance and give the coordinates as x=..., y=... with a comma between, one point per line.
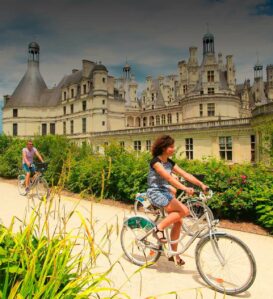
x=236, y=271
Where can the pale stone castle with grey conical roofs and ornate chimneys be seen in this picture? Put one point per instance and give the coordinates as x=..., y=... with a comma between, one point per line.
x=201, y=106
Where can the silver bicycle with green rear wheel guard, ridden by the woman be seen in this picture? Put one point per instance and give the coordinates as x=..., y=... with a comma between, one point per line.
x=223, y=261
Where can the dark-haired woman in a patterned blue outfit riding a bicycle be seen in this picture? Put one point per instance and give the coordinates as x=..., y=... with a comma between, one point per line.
x=161, y=190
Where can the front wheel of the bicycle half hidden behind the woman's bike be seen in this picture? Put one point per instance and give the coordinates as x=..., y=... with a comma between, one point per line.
x=196, y=209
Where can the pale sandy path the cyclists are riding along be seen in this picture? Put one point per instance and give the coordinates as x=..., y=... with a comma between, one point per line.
x=162, y=277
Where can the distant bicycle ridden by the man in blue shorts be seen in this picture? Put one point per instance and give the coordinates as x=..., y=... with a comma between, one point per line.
x=36, y=180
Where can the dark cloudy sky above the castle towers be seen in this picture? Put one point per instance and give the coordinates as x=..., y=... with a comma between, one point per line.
x=152, y=35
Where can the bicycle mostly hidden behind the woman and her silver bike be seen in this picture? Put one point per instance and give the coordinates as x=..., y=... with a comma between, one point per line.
x=143, y=205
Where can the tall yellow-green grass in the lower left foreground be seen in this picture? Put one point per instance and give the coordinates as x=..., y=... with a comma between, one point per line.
x=44, y=256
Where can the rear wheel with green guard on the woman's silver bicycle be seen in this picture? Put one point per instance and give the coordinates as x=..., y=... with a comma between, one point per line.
x=139, y=252
